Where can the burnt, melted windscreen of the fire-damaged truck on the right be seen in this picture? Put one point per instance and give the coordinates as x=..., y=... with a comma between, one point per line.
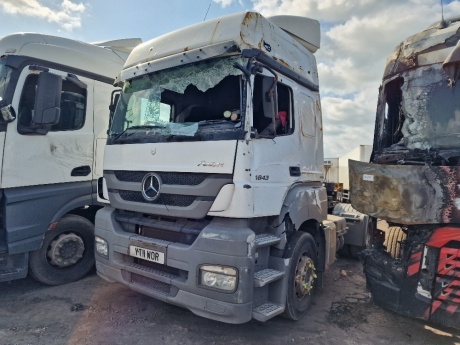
x=421, y=110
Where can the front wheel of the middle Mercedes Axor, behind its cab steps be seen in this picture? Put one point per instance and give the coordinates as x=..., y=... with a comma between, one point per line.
x=302, y=279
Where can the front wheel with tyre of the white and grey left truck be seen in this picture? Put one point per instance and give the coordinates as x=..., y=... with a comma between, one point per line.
x=67, y=253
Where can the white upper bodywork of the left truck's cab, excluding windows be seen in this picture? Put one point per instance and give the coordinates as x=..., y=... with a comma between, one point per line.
x=48, y=159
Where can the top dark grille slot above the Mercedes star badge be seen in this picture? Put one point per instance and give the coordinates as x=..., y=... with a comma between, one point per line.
x=174, y=178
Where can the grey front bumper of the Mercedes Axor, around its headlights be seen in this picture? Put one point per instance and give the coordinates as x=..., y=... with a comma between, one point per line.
x=222, y=242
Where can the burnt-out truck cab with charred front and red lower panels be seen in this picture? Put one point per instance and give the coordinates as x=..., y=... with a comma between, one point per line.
x=413, y=180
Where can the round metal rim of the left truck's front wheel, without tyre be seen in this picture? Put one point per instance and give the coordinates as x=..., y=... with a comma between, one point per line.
x=66, y=250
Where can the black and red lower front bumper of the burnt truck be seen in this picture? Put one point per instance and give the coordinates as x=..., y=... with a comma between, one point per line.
x=424, y=282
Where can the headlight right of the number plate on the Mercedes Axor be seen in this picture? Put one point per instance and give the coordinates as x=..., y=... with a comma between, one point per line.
x=219, y=277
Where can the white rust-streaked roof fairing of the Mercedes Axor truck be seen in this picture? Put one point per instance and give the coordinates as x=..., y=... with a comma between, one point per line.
x=247, y=30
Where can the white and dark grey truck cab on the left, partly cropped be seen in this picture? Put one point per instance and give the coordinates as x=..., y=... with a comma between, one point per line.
x=54, y=97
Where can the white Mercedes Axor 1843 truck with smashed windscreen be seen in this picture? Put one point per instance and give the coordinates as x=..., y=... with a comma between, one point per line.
x=213, y=169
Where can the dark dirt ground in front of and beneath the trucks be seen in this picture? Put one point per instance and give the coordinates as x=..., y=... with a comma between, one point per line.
x=92, y=311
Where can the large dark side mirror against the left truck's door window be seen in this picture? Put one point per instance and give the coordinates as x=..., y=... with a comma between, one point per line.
x=47, y=109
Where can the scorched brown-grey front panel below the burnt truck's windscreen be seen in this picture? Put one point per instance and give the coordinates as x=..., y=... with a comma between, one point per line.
x=406, y=194
